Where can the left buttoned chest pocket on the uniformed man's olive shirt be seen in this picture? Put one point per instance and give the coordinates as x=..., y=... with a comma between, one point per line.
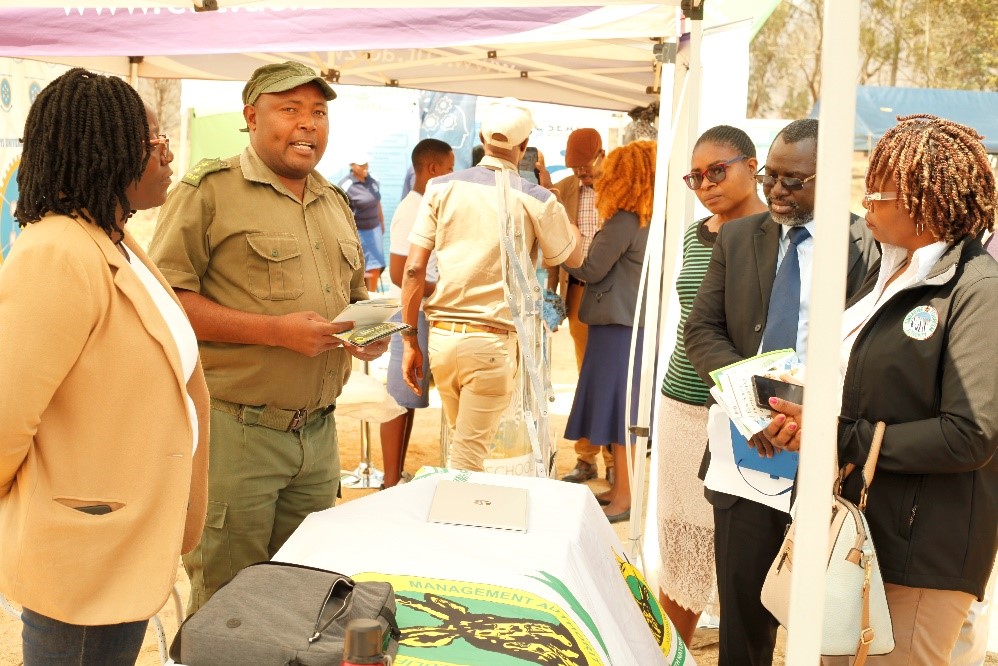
x=273, y=266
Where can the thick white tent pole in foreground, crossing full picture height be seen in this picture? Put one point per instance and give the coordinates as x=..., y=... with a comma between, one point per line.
x=821, y=409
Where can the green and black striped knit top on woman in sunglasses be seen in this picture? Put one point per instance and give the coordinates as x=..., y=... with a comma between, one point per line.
x=681, y=381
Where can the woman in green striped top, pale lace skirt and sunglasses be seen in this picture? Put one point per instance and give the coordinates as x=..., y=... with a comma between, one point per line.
x=723, y=165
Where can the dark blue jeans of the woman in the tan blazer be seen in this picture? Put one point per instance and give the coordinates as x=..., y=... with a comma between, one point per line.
x=48, y=642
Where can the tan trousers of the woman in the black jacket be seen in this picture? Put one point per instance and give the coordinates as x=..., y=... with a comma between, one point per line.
x=926, y=625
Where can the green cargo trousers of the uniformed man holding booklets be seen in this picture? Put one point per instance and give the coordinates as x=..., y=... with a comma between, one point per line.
x=261, y=485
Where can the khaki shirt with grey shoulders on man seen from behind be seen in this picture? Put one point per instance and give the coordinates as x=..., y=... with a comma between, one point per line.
x=459, y=219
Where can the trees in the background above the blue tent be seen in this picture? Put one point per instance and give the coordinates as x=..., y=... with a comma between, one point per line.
x=912, y=43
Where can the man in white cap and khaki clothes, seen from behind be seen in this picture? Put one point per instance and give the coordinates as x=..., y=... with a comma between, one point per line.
x=473, y=344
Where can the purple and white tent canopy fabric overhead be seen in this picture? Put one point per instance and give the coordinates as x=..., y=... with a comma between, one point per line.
x=574, y=52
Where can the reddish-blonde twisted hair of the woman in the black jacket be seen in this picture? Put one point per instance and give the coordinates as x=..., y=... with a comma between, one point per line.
x=942, y=174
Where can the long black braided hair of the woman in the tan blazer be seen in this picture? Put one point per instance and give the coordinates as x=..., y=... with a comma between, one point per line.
x=85, y=141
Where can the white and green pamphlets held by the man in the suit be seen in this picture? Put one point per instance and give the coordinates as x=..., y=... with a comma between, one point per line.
x=733, y=389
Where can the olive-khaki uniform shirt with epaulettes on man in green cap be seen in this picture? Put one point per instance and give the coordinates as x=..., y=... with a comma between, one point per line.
x=231, y=231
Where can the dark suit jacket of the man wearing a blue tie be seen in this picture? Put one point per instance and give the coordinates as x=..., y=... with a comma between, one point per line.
x=729, y=312
